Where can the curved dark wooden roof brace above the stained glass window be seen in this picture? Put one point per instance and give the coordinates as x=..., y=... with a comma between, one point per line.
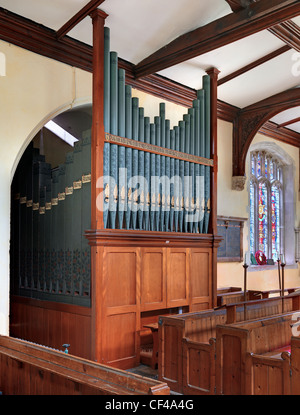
x=249, y=120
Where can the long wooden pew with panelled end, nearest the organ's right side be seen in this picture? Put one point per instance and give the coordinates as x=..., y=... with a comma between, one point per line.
x=186, y=346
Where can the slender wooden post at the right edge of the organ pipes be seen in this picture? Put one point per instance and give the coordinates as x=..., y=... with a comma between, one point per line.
x=213, y=74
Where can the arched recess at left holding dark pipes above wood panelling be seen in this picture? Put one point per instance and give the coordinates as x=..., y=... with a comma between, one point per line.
x=49, y=255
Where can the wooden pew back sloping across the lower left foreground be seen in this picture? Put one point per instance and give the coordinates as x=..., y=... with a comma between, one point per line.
x=29, y=369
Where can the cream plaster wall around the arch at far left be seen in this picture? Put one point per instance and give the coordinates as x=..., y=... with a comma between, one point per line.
x=33, y=90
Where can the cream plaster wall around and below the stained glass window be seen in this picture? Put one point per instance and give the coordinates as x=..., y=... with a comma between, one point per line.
x=235, y=203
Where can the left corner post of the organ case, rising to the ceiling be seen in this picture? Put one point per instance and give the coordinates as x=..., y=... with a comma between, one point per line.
x=97, y=145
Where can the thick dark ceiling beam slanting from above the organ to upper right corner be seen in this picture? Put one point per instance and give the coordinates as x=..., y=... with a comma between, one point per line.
x=228, y=29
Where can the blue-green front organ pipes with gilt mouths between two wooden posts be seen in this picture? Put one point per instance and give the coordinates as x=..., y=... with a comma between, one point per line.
x=156, y=178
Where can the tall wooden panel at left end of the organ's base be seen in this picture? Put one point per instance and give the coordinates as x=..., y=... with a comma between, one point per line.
x=121, y=309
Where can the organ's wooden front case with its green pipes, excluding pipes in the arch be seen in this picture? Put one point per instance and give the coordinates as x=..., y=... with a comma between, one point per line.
x=154, y=235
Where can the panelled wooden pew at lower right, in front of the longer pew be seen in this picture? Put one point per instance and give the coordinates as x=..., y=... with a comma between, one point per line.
x=249, y=357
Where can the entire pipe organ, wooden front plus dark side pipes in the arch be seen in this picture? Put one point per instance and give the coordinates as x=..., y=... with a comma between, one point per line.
x=145, y=192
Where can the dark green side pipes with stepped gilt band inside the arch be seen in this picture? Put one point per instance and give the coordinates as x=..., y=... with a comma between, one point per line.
x=51, y=209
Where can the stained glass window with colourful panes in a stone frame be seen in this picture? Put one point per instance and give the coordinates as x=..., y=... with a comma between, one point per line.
x=265, y=205
